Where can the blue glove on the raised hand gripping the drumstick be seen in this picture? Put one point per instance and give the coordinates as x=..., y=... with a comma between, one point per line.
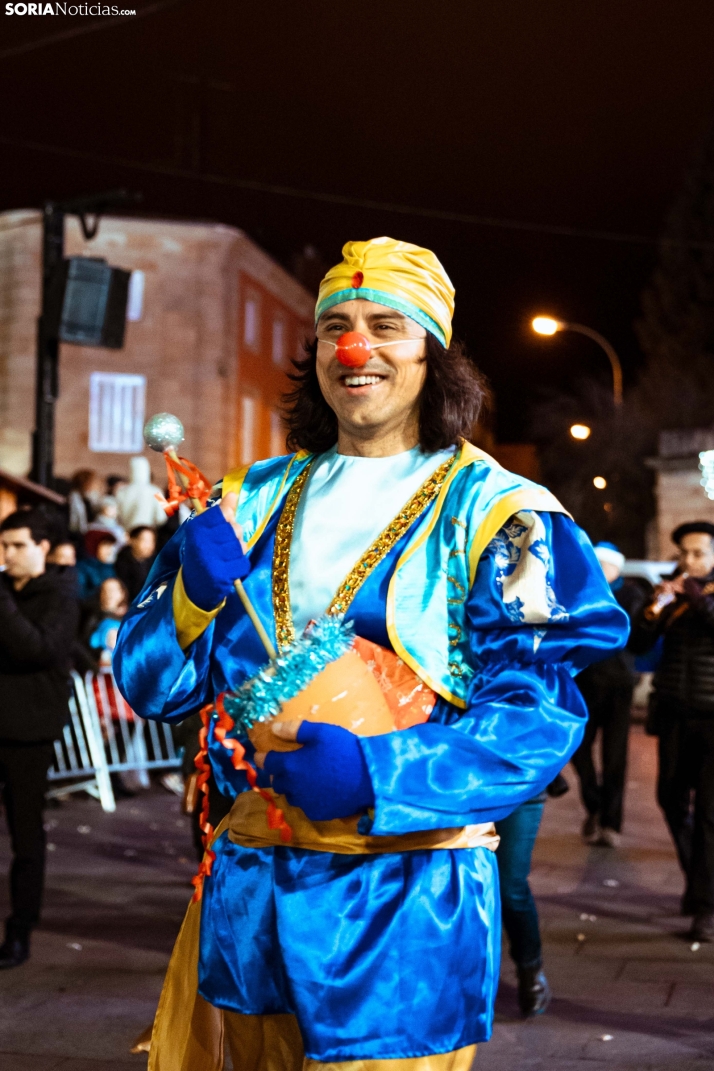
x=212, y=560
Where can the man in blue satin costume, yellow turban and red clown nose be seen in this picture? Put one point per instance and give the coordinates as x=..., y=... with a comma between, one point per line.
x=373, y=940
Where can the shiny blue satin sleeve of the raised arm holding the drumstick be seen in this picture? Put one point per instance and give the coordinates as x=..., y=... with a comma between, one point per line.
x=156, y=677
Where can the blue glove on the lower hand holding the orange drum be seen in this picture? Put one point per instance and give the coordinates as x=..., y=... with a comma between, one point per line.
x=328, y=778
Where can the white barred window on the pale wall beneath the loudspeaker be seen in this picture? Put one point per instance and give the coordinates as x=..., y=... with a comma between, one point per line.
x=116, y=413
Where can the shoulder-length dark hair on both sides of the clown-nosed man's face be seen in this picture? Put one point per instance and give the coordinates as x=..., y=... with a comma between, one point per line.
x=452, y=397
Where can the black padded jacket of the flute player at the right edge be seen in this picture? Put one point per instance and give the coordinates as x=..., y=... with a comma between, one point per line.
x=686, y=675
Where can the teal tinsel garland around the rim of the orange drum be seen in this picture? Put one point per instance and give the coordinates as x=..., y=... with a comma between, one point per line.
x=261, y=699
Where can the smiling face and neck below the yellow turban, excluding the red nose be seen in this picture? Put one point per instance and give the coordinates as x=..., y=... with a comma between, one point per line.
x=377, y=406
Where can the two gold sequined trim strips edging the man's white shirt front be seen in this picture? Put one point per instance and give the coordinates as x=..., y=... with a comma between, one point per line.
x=285, y=632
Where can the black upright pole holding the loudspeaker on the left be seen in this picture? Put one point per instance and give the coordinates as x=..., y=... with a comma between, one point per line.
x=48, y=365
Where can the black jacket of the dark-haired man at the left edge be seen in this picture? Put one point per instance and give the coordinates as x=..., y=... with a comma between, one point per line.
x=38, y=628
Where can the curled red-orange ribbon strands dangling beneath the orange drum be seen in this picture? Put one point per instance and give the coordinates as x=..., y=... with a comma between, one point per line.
x=224, y=725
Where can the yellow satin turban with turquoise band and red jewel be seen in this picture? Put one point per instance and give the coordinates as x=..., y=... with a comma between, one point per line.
x=399, y=275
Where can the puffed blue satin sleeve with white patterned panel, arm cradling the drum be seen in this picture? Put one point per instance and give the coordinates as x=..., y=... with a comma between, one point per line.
x=540, y=611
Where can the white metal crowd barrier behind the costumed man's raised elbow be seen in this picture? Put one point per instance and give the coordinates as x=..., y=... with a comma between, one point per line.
x=104, y=736
